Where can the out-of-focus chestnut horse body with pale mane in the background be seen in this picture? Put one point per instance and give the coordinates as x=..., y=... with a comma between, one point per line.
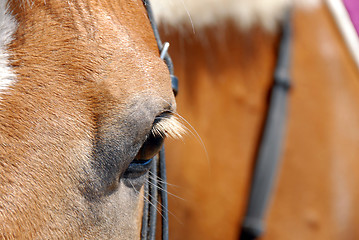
x=224, y=53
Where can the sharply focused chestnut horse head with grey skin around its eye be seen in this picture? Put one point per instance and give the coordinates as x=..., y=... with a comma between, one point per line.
x=85, y=103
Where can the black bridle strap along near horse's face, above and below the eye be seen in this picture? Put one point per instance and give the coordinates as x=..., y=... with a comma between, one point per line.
x=156, y=187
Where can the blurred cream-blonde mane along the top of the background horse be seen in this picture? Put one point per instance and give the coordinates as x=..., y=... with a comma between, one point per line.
x=244, y=13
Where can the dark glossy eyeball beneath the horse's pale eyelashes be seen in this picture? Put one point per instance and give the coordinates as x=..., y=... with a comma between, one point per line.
x=150, y=148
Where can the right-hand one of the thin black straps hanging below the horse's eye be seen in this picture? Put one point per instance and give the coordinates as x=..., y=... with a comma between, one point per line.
x=164, y=200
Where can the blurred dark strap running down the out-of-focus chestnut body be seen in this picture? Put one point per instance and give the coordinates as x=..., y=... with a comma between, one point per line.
x=271, y=145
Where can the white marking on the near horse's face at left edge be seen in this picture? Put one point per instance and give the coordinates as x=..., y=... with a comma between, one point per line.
x=7, y=29
